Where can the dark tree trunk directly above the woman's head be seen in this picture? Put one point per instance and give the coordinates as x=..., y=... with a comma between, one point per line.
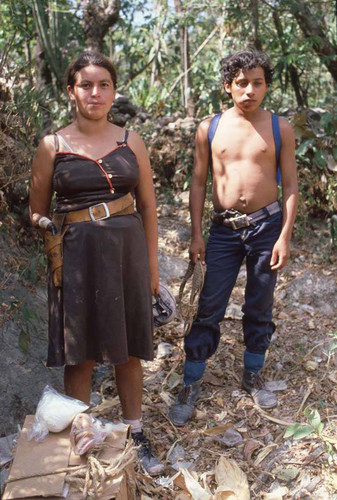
x=98, y=17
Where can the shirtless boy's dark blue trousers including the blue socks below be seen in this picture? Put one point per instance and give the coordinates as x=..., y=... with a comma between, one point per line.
x=226, y=250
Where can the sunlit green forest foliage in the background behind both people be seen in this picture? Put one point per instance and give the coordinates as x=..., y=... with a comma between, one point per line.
x=145, y=45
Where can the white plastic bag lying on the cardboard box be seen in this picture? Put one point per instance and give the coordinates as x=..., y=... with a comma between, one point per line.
x=54, y=413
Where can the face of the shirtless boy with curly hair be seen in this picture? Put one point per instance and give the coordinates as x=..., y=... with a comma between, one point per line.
x=248, y=88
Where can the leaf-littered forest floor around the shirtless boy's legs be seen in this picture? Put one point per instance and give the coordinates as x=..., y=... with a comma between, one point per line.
x=227, y=423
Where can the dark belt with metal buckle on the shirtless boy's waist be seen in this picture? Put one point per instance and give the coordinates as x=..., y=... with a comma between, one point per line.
x=236, y=220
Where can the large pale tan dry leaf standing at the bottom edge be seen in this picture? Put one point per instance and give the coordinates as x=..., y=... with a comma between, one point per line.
x=231, y=480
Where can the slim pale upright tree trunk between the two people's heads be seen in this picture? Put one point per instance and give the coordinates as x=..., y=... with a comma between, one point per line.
x=185, y=61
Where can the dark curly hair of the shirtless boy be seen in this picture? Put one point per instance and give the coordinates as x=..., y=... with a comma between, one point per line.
x=243, y=60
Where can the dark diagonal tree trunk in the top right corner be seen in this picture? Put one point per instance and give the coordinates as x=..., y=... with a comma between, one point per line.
x=313, y=27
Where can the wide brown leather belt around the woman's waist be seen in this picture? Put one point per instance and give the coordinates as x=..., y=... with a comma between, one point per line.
x=100, y=211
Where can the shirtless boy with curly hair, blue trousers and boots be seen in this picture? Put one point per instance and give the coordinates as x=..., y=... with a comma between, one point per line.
x=244, y=183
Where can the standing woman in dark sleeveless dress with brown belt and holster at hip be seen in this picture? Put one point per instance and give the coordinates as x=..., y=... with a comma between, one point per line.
x=102, y=309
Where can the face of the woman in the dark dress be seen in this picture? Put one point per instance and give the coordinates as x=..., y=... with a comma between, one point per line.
x=93, y=92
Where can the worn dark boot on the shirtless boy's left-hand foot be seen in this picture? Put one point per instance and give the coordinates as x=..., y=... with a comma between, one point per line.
x=182, y=410
